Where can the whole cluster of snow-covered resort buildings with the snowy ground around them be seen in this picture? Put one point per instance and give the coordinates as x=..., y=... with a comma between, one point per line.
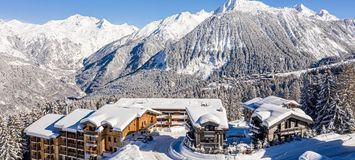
x=167, y=128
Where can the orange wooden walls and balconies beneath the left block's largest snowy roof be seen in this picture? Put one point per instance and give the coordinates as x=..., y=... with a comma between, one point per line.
x=106, y=139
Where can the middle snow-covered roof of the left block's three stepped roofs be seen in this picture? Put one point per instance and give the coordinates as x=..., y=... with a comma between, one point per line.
x=71, y=122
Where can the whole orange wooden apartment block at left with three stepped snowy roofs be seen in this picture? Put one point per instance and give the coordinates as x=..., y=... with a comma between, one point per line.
x=86, y=134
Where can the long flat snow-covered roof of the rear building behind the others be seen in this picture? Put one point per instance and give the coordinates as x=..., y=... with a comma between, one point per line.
x=168, y=103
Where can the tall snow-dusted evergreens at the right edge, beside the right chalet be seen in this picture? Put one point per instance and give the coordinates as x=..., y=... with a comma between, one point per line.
x=326, y=98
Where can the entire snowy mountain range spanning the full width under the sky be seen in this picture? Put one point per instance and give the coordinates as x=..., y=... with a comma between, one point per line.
x=81, y=55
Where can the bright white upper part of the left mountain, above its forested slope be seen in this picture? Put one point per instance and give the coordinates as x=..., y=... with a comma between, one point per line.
x=59, y=43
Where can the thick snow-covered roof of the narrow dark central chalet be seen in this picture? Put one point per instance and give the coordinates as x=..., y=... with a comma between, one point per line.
x=213, y=113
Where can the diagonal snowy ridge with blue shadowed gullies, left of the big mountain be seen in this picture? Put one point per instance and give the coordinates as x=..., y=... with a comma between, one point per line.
x=126, y=55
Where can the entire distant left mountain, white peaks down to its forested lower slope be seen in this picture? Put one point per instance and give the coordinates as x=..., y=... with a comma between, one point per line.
x=38, y=61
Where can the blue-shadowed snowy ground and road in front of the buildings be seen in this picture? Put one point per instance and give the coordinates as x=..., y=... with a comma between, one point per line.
x=333, y=146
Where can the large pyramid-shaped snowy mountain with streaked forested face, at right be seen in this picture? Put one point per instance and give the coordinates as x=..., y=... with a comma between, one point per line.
x=246, y=37
